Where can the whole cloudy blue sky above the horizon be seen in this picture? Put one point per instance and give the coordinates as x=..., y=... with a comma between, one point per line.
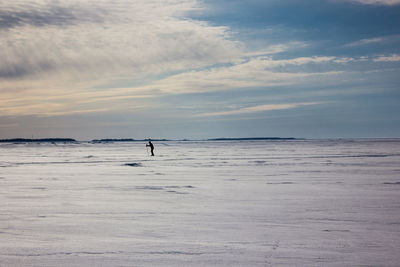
x=199, y=69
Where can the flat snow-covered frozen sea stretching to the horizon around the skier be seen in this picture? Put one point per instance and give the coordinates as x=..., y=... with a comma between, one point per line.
x=217, y=203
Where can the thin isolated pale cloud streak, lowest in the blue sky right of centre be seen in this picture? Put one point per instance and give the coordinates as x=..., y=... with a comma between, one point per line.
x=254, y=109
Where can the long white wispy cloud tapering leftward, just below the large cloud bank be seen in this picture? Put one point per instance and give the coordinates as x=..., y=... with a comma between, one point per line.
x=258, y=72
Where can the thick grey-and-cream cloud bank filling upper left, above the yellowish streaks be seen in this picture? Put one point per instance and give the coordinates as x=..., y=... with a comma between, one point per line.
x=103, y=39
